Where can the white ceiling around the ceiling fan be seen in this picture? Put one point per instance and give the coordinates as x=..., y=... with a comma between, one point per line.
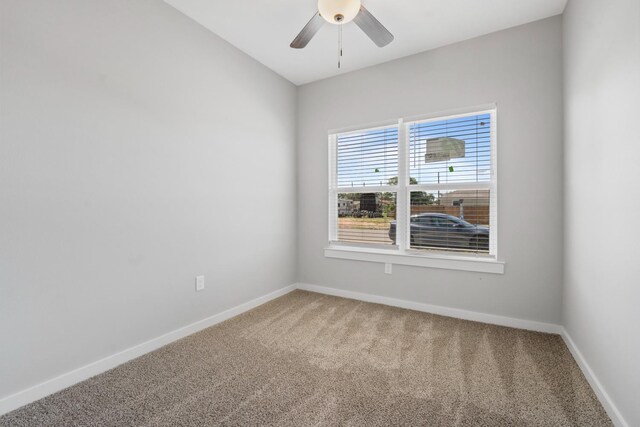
x=264, y=28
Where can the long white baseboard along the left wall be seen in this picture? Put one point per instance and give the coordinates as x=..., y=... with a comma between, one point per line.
x=38, y=391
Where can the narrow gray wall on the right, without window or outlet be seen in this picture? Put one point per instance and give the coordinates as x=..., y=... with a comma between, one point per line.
x=601, y=300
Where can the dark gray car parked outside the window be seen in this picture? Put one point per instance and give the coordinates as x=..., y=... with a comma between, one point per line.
x=442, y=230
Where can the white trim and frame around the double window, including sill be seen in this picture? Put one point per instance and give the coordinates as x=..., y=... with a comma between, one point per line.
x=401, y=254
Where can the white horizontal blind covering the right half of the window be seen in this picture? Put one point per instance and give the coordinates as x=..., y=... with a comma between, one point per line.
x=450, y=161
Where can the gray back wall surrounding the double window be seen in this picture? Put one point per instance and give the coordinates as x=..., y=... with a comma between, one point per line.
x=520, y=69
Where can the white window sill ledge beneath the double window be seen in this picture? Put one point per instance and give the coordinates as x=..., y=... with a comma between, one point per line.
x=481, y=264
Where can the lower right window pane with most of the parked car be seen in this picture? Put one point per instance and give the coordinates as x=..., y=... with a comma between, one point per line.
x=450, y=220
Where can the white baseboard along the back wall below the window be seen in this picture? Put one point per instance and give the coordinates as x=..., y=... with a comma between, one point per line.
x=494, y=319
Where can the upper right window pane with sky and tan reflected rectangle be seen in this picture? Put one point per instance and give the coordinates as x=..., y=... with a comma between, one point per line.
x=451, y=151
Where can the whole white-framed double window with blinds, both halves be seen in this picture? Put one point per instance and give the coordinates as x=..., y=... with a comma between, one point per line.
x=423, y=188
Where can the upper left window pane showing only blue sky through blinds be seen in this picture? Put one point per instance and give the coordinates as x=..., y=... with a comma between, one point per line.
x=368, y=158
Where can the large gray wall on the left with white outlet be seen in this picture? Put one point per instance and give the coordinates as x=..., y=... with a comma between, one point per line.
x=137, y=150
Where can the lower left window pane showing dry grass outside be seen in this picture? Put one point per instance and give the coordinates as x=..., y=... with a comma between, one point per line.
x=366, y=217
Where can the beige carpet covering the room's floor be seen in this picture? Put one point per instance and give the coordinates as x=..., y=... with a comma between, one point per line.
x=310, y=359
